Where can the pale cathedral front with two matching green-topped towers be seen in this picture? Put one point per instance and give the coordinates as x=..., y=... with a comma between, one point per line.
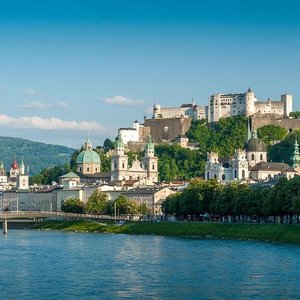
x=145, y=171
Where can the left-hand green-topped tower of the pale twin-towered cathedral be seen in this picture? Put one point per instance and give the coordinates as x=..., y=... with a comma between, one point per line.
x=119, y=162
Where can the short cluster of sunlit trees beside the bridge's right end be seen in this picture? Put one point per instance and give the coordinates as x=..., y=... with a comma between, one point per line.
x=99, y=204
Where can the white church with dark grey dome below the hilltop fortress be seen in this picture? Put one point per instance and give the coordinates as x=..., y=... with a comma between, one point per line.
x=249, y=164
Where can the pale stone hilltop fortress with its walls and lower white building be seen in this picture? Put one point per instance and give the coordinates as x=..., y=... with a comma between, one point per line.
x=170, y=123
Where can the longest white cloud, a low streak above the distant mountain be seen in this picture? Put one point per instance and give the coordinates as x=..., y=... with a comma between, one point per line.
x=48, y=124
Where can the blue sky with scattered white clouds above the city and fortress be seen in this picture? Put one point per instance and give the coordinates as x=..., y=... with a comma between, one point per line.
x=69, y=68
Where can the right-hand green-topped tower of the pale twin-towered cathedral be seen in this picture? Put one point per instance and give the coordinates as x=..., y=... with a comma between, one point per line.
x=150, y=162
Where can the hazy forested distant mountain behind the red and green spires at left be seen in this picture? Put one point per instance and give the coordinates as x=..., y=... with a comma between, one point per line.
x=37, y=155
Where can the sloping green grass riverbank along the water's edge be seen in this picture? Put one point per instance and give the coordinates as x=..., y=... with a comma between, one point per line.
x=260, y=232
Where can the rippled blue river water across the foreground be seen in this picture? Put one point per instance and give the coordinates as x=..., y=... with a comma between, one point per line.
x=59, y=265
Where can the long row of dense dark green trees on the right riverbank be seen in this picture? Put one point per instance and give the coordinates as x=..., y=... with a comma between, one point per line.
x=239, y=202
